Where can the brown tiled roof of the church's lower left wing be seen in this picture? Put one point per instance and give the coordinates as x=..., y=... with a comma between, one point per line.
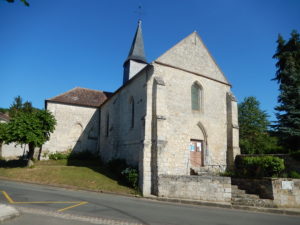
x=82, y=96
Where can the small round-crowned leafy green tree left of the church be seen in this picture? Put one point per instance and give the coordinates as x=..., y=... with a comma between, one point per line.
x=32, y=128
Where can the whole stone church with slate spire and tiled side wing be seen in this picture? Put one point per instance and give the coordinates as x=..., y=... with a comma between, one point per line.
x=173, y=116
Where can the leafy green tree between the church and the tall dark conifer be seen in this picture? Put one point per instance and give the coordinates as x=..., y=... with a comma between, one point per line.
x=254, y=123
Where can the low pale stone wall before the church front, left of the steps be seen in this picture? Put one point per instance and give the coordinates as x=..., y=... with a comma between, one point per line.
x=205, y=188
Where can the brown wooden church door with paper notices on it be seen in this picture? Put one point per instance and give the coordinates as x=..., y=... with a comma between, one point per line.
x=196, y=153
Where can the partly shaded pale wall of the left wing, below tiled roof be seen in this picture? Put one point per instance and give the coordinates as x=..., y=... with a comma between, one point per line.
x=77, y=128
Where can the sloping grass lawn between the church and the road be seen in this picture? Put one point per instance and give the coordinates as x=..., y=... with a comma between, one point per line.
x=75, y=174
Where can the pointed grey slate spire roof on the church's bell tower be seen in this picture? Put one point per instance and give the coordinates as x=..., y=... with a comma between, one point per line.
x=137, y=51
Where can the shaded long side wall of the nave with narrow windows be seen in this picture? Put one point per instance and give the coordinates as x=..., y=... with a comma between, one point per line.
x=122, y=140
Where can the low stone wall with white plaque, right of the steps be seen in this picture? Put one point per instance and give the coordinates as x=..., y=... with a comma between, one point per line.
x=284, y=192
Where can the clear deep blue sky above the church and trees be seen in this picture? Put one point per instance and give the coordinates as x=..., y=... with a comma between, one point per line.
x=55, y=45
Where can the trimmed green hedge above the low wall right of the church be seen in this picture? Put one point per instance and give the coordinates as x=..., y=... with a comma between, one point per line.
x=259, y=166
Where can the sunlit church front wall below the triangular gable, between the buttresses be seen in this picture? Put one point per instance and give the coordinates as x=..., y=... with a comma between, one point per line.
x=180, y=122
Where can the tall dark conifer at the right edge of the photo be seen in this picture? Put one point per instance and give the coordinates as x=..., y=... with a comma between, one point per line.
x=288, y=78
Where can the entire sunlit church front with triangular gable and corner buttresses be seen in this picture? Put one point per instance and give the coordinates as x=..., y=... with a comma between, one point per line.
x=170, y=121
